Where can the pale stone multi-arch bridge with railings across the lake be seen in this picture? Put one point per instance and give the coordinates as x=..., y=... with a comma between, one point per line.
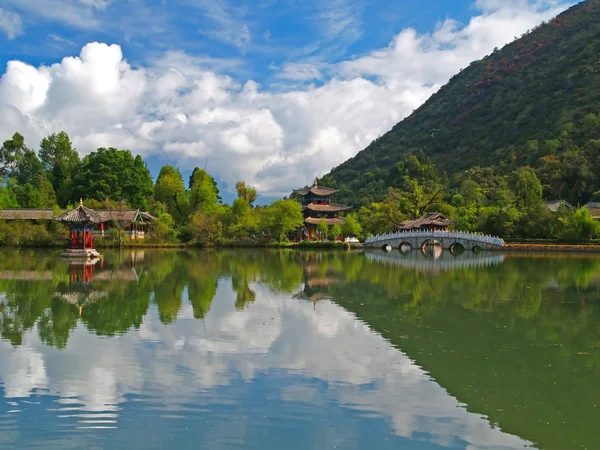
x=449, y=240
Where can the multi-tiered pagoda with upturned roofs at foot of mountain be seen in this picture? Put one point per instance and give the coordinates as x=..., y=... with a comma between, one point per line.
x=317, y=208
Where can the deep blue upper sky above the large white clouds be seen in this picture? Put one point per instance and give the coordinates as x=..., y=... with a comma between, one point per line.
x=252, y=38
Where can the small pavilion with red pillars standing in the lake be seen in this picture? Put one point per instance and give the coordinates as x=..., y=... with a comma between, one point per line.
x=81, y=222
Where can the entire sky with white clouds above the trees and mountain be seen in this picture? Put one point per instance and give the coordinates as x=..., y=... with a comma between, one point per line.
x=272, y=92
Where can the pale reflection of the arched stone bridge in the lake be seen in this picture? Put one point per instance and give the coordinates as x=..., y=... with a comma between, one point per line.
x=436, y=260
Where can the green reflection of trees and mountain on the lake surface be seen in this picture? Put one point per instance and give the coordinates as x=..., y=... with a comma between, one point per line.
x=514, y=337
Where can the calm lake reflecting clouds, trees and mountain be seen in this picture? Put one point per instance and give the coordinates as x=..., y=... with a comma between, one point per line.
x=273, y=349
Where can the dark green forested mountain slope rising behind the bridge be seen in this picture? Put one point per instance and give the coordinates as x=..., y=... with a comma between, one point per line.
x=537, y=96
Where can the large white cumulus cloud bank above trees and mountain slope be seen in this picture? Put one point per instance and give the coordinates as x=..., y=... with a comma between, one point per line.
x=186, y=110
